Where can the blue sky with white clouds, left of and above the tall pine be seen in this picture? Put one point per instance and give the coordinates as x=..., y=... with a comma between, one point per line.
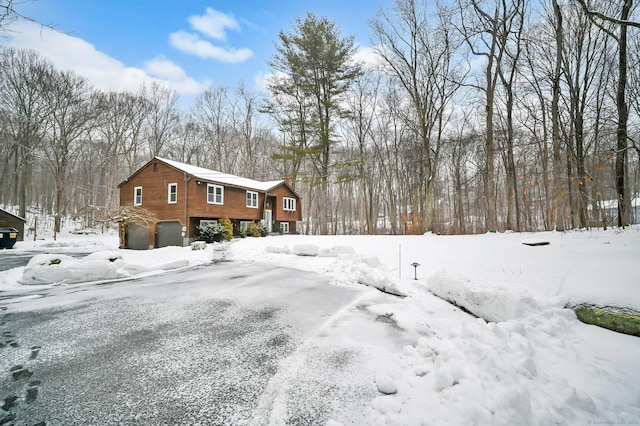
x=188, y=44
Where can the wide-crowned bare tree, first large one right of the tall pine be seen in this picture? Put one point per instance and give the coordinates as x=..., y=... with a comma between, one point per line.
x=419, y=55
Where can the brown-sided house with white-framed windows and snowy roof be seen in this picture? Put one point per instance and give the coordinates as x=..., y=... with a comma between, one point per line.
x=182, y=196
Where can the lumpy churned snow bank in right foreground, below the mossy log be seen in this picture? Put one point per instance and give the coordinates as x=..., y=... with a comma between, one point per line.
x=527, y=371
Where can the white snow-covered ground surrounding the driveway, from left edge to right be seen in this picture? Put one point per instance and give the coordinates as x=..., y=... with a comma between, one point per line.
x=526, y=360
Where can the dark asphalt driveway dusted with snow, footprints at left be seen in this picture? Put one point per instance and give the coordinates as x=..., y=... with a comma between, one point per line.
x=189, y=347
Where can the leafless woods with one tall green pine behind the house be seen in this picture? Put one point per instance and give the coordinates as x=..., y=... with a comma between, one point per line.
x=485, y=115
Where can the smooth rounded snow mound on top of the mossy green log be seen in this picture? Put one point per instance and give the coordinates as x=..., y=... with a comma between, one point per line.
x=613, y=283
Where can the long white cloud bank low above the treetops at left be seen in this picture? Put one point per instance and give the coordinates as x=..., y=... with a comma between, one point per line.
x=67, y=52
